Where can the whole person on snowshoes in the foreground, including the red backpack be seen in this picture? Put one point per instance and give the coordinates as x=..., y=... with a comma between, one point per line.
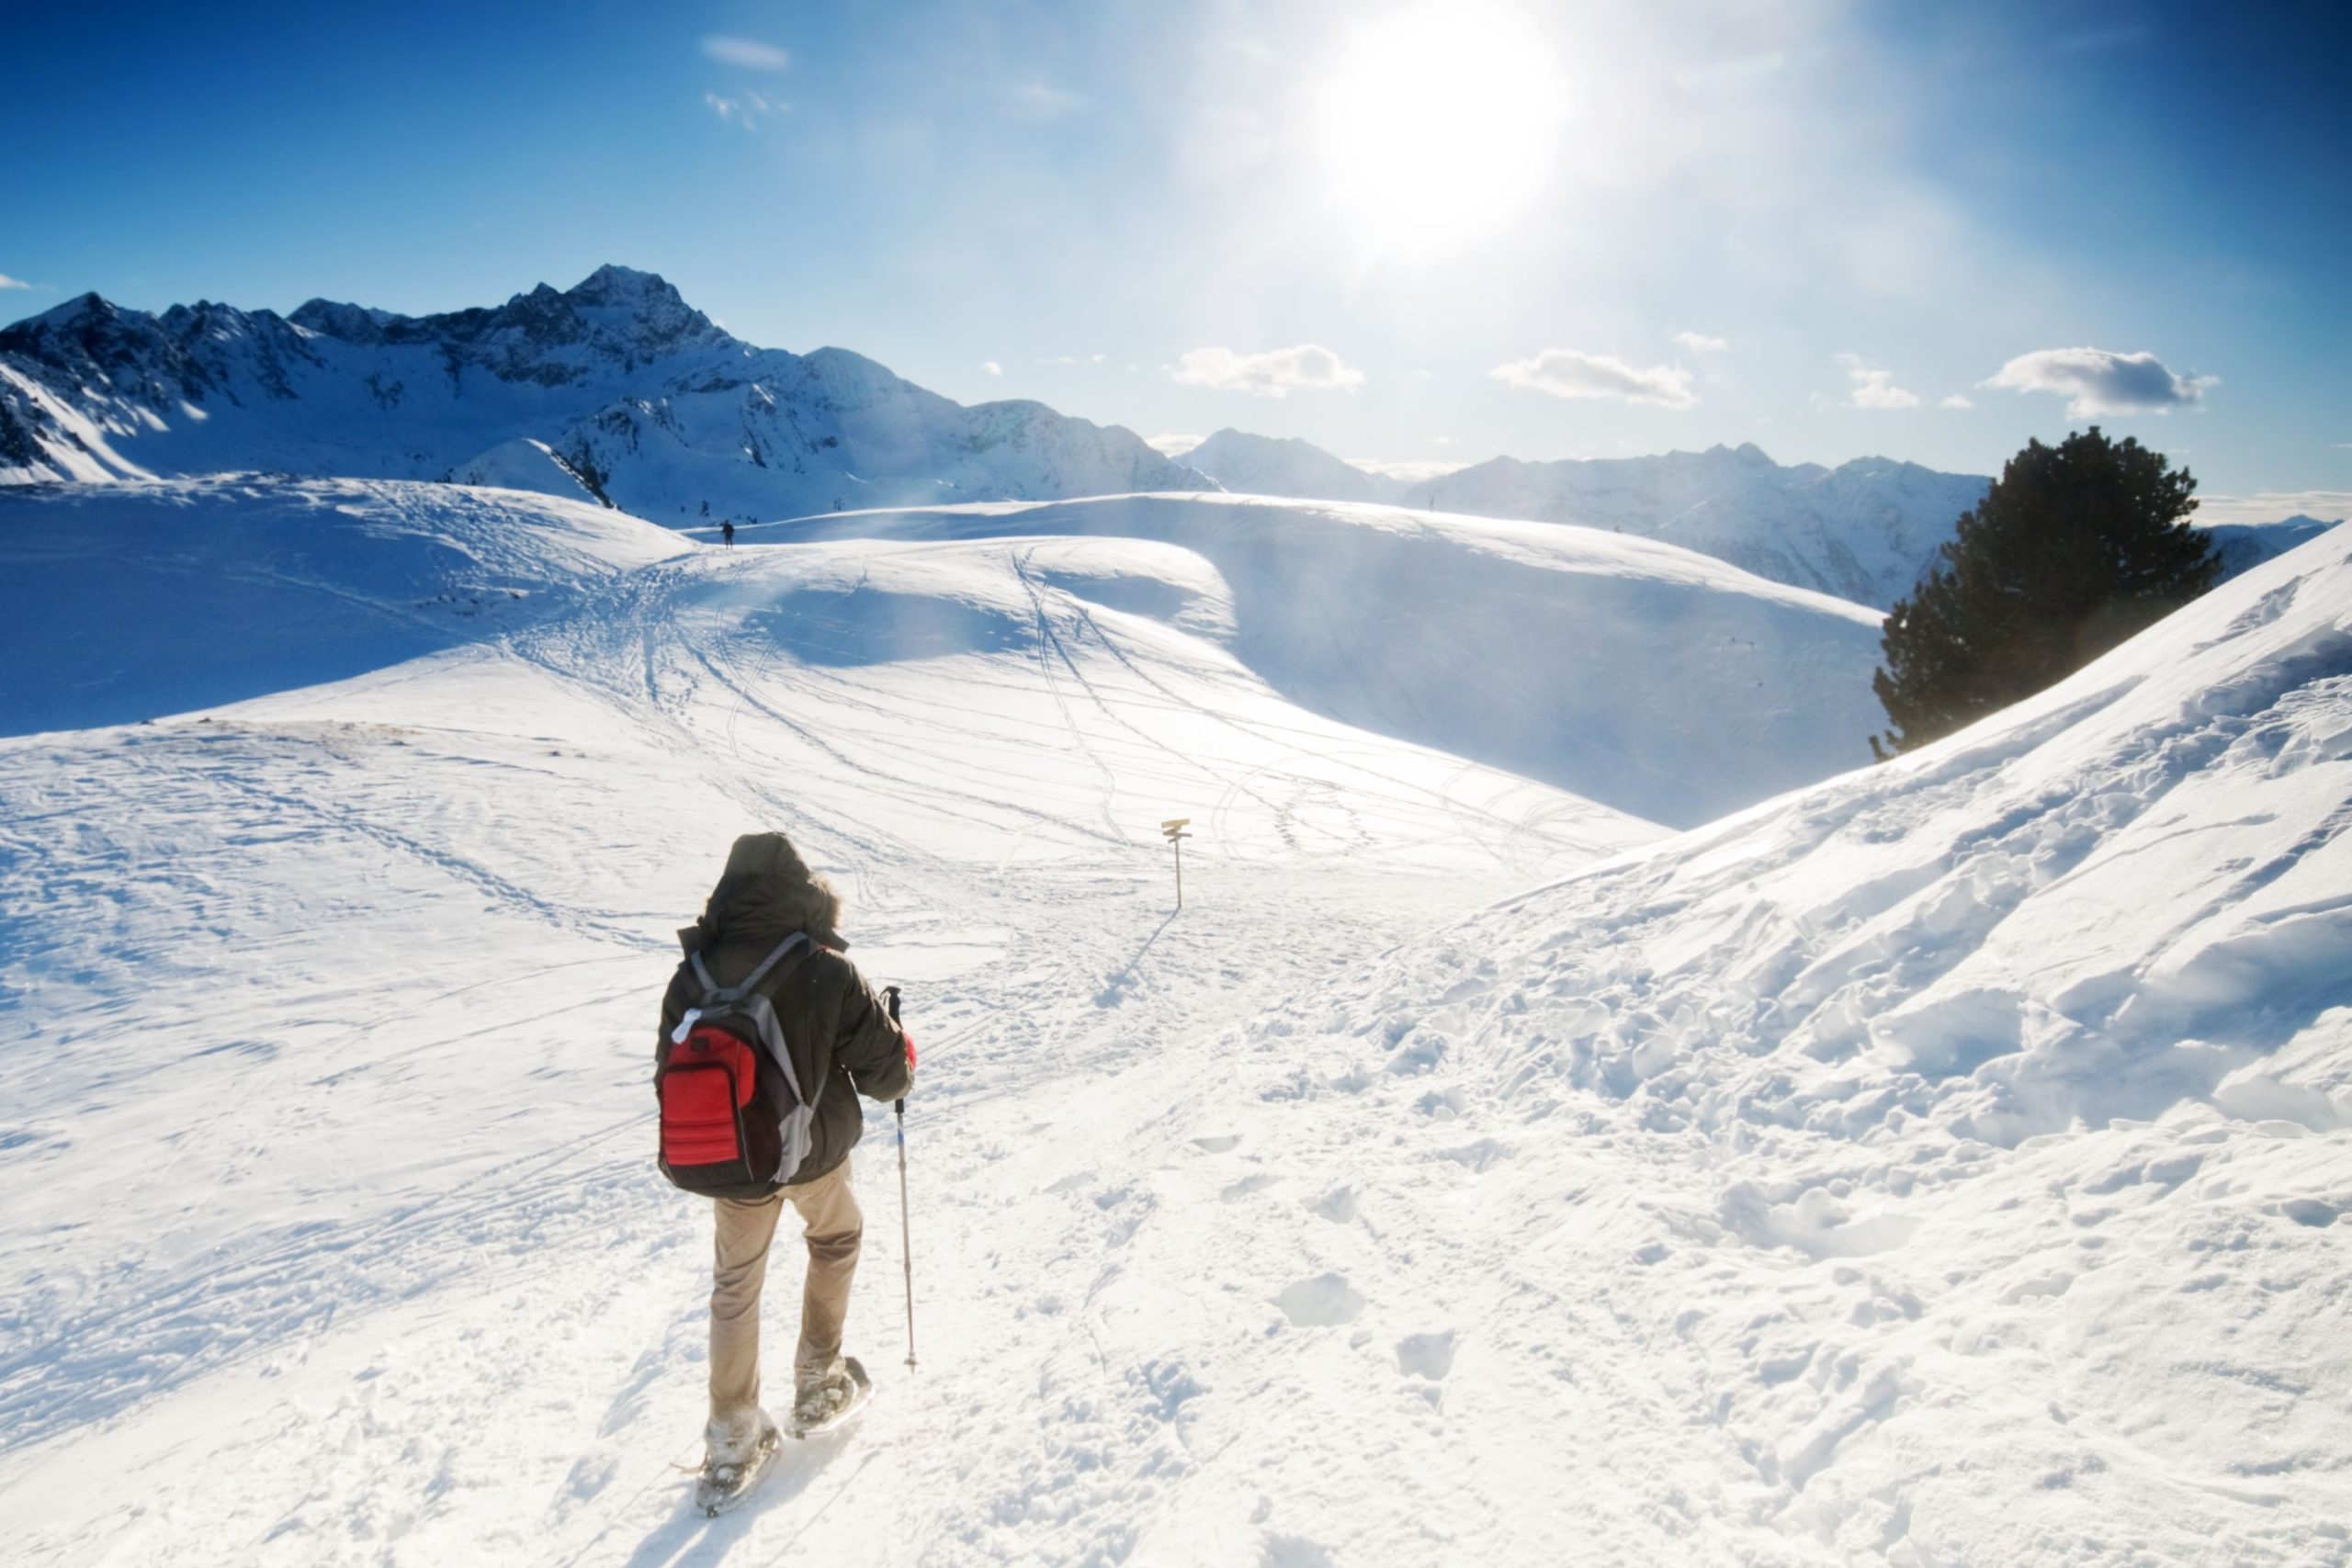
x=733, y=1120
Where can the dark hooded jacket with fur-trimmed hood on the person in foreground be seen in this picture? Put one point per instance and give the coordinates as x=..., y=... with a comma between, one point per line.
x=834, y=1024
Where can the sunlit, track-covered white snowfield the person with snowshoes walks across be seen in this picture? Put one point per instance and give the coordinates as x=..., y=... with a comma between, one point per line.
x=1935, y=1167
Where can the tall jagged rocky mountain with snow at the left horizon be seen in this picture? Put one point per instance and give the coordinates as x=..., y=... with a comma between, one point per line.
x=620, y=384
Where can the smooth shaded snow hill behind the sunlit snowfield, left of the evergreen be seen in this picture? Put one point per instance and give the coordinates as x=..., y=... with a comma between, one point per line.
x=1641, y=676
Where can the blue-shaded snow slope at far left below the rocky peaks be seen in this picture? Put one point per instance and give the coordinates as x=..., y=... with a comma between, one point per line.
x=142, y=601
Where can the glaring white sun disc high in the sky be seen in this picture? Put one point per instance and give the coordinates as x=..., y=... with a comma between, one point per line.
x=1438, y=123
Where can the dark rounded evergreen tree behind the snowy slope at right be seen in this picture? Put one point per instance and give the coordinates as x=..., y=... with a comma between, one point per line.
x=2073, y=551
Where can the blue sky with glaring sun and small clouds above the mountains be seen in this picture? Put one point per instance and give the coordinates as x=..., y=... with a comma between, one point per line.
x=1419, y=234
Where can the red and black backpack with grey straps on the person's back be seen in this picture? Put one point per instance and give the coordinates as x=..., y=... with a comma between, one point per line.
x=735, y=1120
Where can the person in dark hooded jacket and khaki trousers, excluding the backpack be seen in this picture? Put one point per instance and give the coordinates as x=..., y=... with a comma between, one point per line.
x=843, y=1043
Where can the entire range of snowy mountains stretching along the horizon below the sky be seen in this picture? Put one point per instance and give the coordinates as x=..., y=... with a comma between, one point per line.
x=620, y=389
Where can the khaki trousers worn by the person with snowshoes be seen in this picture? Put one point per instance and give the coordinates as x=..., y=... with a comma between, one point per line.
x=829, y=1209
